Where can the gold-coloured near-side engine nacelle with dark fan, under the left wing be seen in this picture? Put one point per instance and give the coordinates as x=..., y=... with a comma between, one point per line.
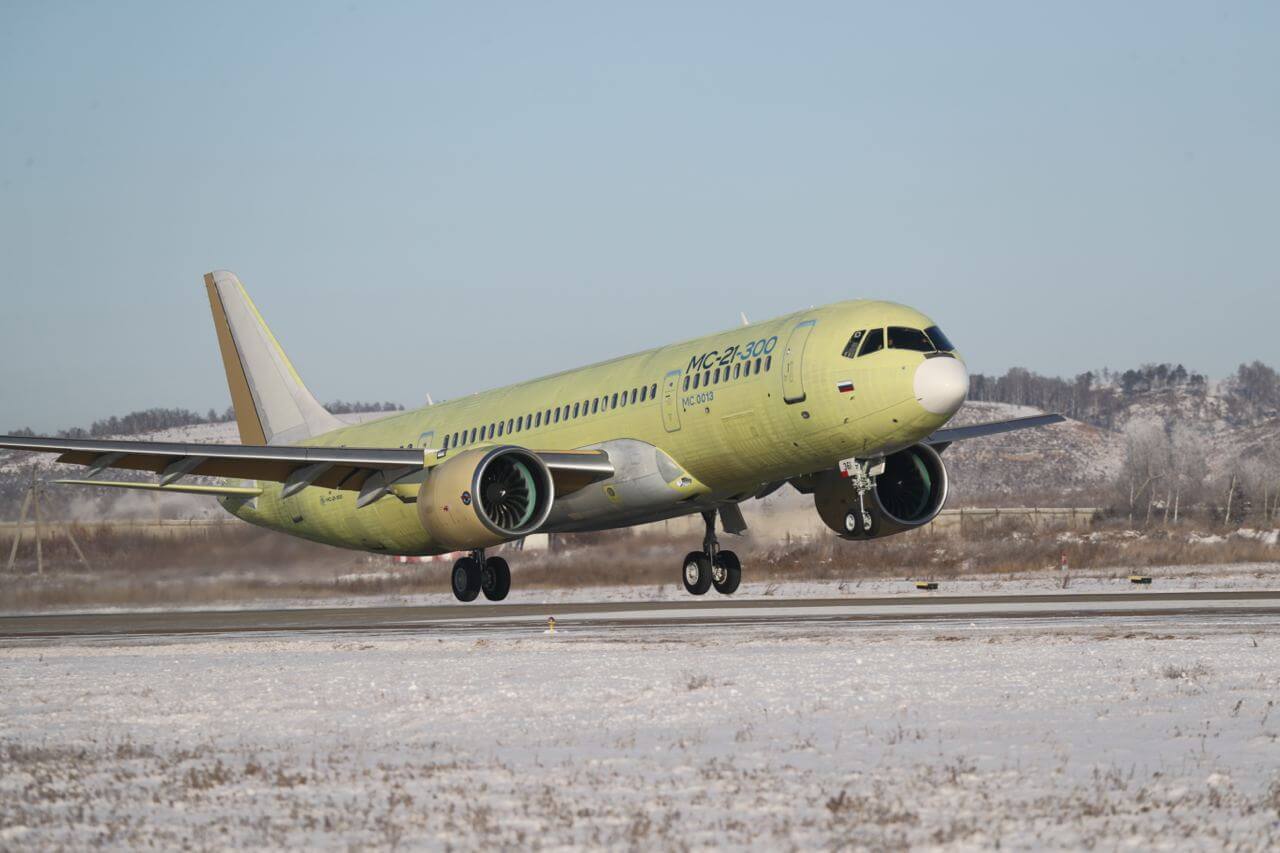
x=486, y=498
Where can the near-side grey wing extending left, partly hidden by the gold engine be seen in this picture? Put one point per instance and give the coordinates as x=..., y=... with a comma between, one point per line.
x=372, y=472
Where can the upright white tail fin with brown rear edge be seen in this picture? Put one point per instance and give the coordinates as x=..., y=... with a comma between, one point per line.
x=272, y=404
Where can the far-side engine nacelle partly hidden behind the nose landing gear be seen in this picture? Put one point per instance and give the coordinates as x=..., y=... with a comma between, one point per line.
x=909, y=494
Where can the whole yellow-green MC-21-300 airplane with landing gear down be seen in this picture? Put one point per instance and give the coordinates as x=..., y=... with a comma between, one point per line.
x=848, y=403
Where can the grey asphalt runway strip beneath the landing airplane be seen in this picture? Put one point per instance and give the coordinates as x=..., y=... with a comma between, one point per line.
x=693, y=613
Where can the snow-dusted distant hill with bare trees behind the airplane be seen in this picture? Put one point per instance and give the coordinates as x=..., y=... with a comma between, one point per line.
x=1135, y=441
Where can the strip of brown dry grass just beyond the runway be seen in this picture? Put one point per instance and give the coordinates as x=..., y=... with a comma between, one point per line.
x=245, y=564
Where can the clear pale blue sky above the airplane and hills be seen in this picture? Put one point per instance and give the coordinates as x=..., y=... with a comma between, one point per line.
x=451, y=198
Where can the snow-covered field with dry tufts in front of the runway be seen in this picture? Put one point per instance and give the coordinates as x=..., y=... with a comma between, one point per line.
x=1124, y=735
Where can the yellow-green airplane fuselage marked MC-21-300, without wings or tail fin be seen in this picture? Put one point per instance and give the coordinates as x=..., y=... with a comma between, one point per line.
x=689, y=426
